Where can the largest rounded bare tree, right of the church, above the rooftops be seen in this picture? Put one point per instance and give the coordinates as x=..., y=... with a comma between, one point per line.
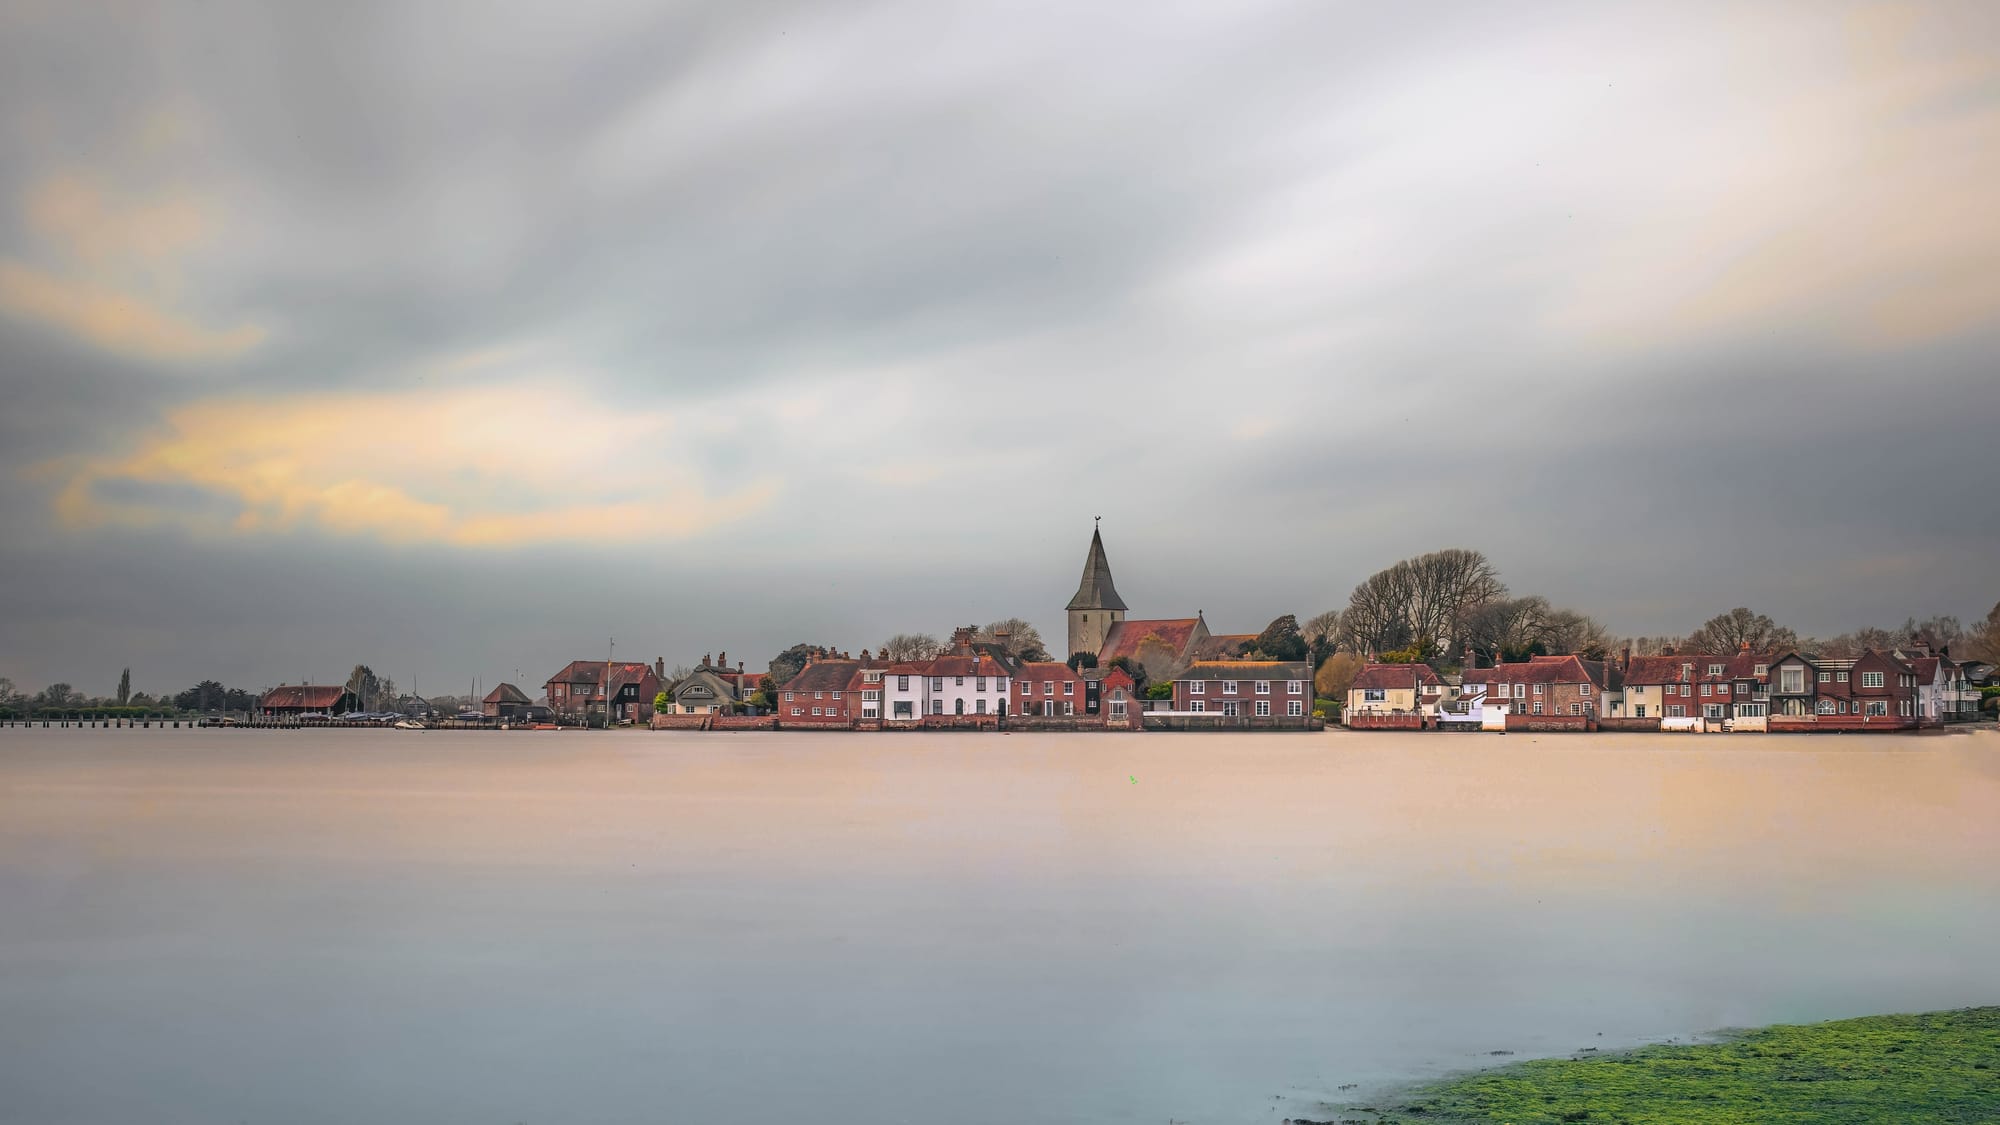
x=1425, y=600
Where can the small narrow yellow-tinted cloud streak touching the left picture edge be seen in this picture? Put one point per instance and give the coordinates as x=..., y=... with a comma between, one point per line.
x=117, y=321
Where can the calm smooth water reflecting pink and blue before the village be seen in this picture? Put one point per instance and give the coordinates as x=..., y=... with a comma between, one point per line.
x=343, y=926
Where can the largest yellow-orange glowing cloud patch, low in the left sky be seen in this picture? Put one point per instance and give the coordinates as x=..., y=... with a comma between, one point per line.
x=501, y=465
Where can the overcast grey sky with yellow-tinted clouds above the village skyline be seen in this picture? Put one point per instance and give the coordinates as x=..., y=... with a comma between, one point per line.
x=471, y=339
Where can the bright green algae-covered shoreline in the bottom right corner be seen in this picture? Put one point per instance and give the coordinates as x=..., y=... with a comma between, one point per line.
x=1931, y=1068
